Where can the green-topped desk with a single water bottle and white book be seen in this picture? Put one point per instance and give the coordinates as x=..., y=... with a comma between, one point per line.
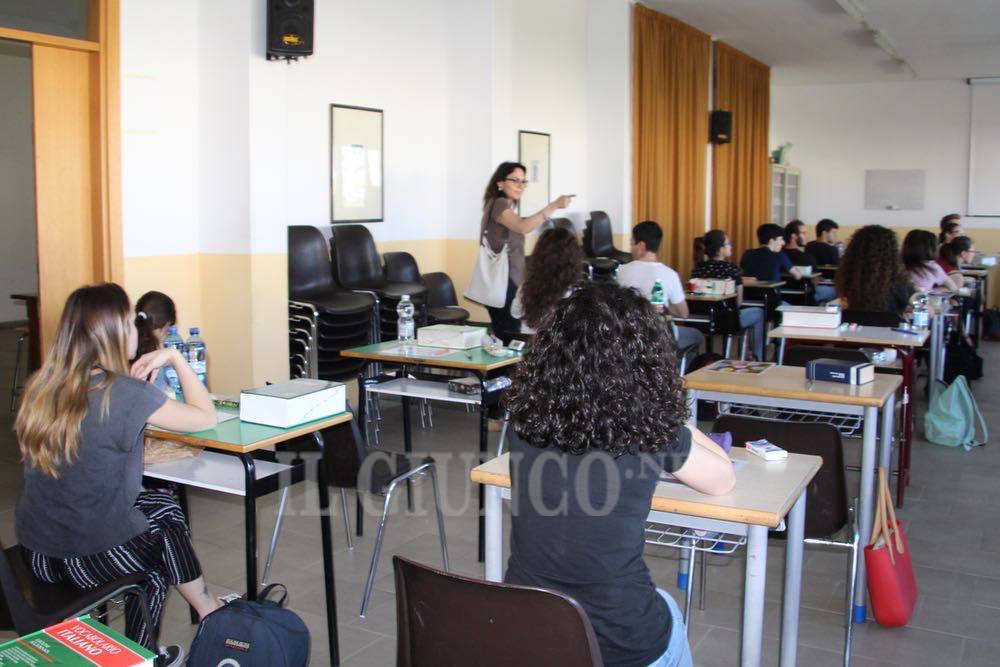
x=476, y=360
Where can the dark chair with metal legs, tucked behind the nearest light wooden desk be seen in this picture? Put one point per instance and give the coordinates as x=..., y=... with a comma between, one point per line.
x=831, y=517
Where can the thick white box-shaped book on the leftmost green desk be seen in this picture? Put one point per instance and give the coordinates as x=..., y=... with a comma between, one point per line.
x=291, y=403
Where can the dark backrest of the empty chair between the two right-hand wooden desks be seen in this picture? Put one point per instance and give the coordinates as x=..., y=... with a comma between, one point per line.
x=826, y=497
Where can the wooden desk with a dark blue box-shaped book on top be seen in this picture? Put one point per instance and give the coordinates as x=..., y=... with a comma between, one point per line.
x=785, y=387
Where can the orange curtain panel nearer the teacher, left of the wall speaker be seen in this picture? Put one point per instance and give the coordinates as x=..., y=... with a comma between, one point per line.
x=670, y=70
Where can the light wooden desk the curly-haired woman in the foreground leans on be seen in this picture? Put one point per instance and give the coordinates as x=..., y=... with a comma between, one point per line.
x=765, y=493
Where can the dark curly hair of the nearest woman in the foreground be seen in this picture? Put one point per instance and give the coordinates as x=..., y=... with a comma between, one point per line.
x=600, y=375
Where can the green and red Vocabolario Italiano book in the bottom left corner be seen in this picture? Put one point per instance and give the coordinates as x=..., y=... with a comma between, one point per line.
x=78, y=642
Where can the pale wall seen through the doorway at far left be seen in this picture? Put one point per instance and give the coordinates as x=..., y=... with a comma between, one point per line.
x=18, y=253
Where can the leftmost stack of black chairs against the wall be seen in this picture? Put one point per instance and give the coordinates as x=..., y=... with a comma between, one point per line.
x=323, y=318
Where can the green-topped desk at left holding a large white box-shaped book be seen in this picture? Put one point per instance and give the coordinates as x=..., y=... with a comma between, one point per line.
x=241, y=440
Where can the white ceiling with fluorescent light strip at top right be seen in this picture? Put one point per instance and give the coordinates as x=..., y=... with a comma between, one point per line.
x=815, y=41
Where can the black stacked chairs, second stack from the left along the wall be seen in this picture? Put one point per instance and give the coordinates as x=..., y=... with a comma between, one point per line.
x=357, y=267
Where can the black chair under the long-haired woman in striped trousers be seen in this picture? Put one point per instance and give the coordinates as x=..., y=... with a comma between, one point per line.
x=30, y=604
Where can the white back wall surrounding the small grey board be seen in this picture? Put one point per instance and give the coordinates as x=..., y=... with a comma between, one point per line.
x=839, y=131
